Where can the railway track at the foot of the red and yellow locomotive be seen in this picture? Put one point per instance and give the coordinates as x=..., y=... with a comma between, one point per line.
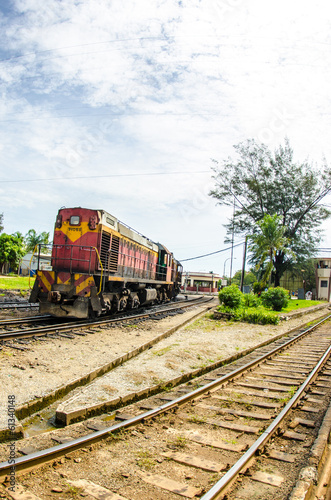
x=157, y=312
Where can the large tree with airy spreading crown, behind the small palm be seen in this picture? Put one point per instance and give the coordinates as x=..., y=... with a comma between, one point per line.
x=260, y=182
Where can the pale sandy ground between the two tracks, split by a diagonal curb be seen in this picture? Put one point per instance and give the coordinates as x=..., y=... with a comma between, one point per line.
x=50, y=364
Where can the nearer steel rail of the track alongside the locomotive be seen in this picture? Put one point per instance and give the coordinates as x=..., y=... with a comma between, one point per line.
x=41, y=330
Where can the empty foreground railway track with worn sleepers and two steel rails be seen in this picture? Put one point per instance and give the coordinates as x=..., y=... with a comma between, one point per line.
x=204, y=443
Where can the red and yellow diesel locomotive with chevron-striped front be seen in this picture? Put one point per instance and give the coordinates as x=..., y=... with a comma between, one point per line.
x=100, y=266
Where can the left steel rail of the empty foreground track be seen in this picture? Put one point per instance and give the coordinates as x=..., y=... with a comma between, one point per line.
x=30, y=461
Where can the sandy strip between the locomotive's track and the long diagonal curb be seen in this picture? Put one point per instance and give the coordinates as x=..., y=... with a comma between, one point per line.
x=36, y=373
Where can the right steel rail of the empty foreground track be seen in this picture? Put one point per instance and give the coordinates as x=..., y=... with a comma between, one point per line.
x=219, y=489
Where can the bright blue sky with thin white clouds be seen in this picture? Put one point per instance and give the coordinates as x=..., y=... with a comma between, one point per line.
x=122, y=106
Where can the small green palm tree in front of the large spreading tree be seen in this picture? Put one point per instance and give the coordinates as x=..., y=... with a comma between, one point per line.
x=268, y=239
